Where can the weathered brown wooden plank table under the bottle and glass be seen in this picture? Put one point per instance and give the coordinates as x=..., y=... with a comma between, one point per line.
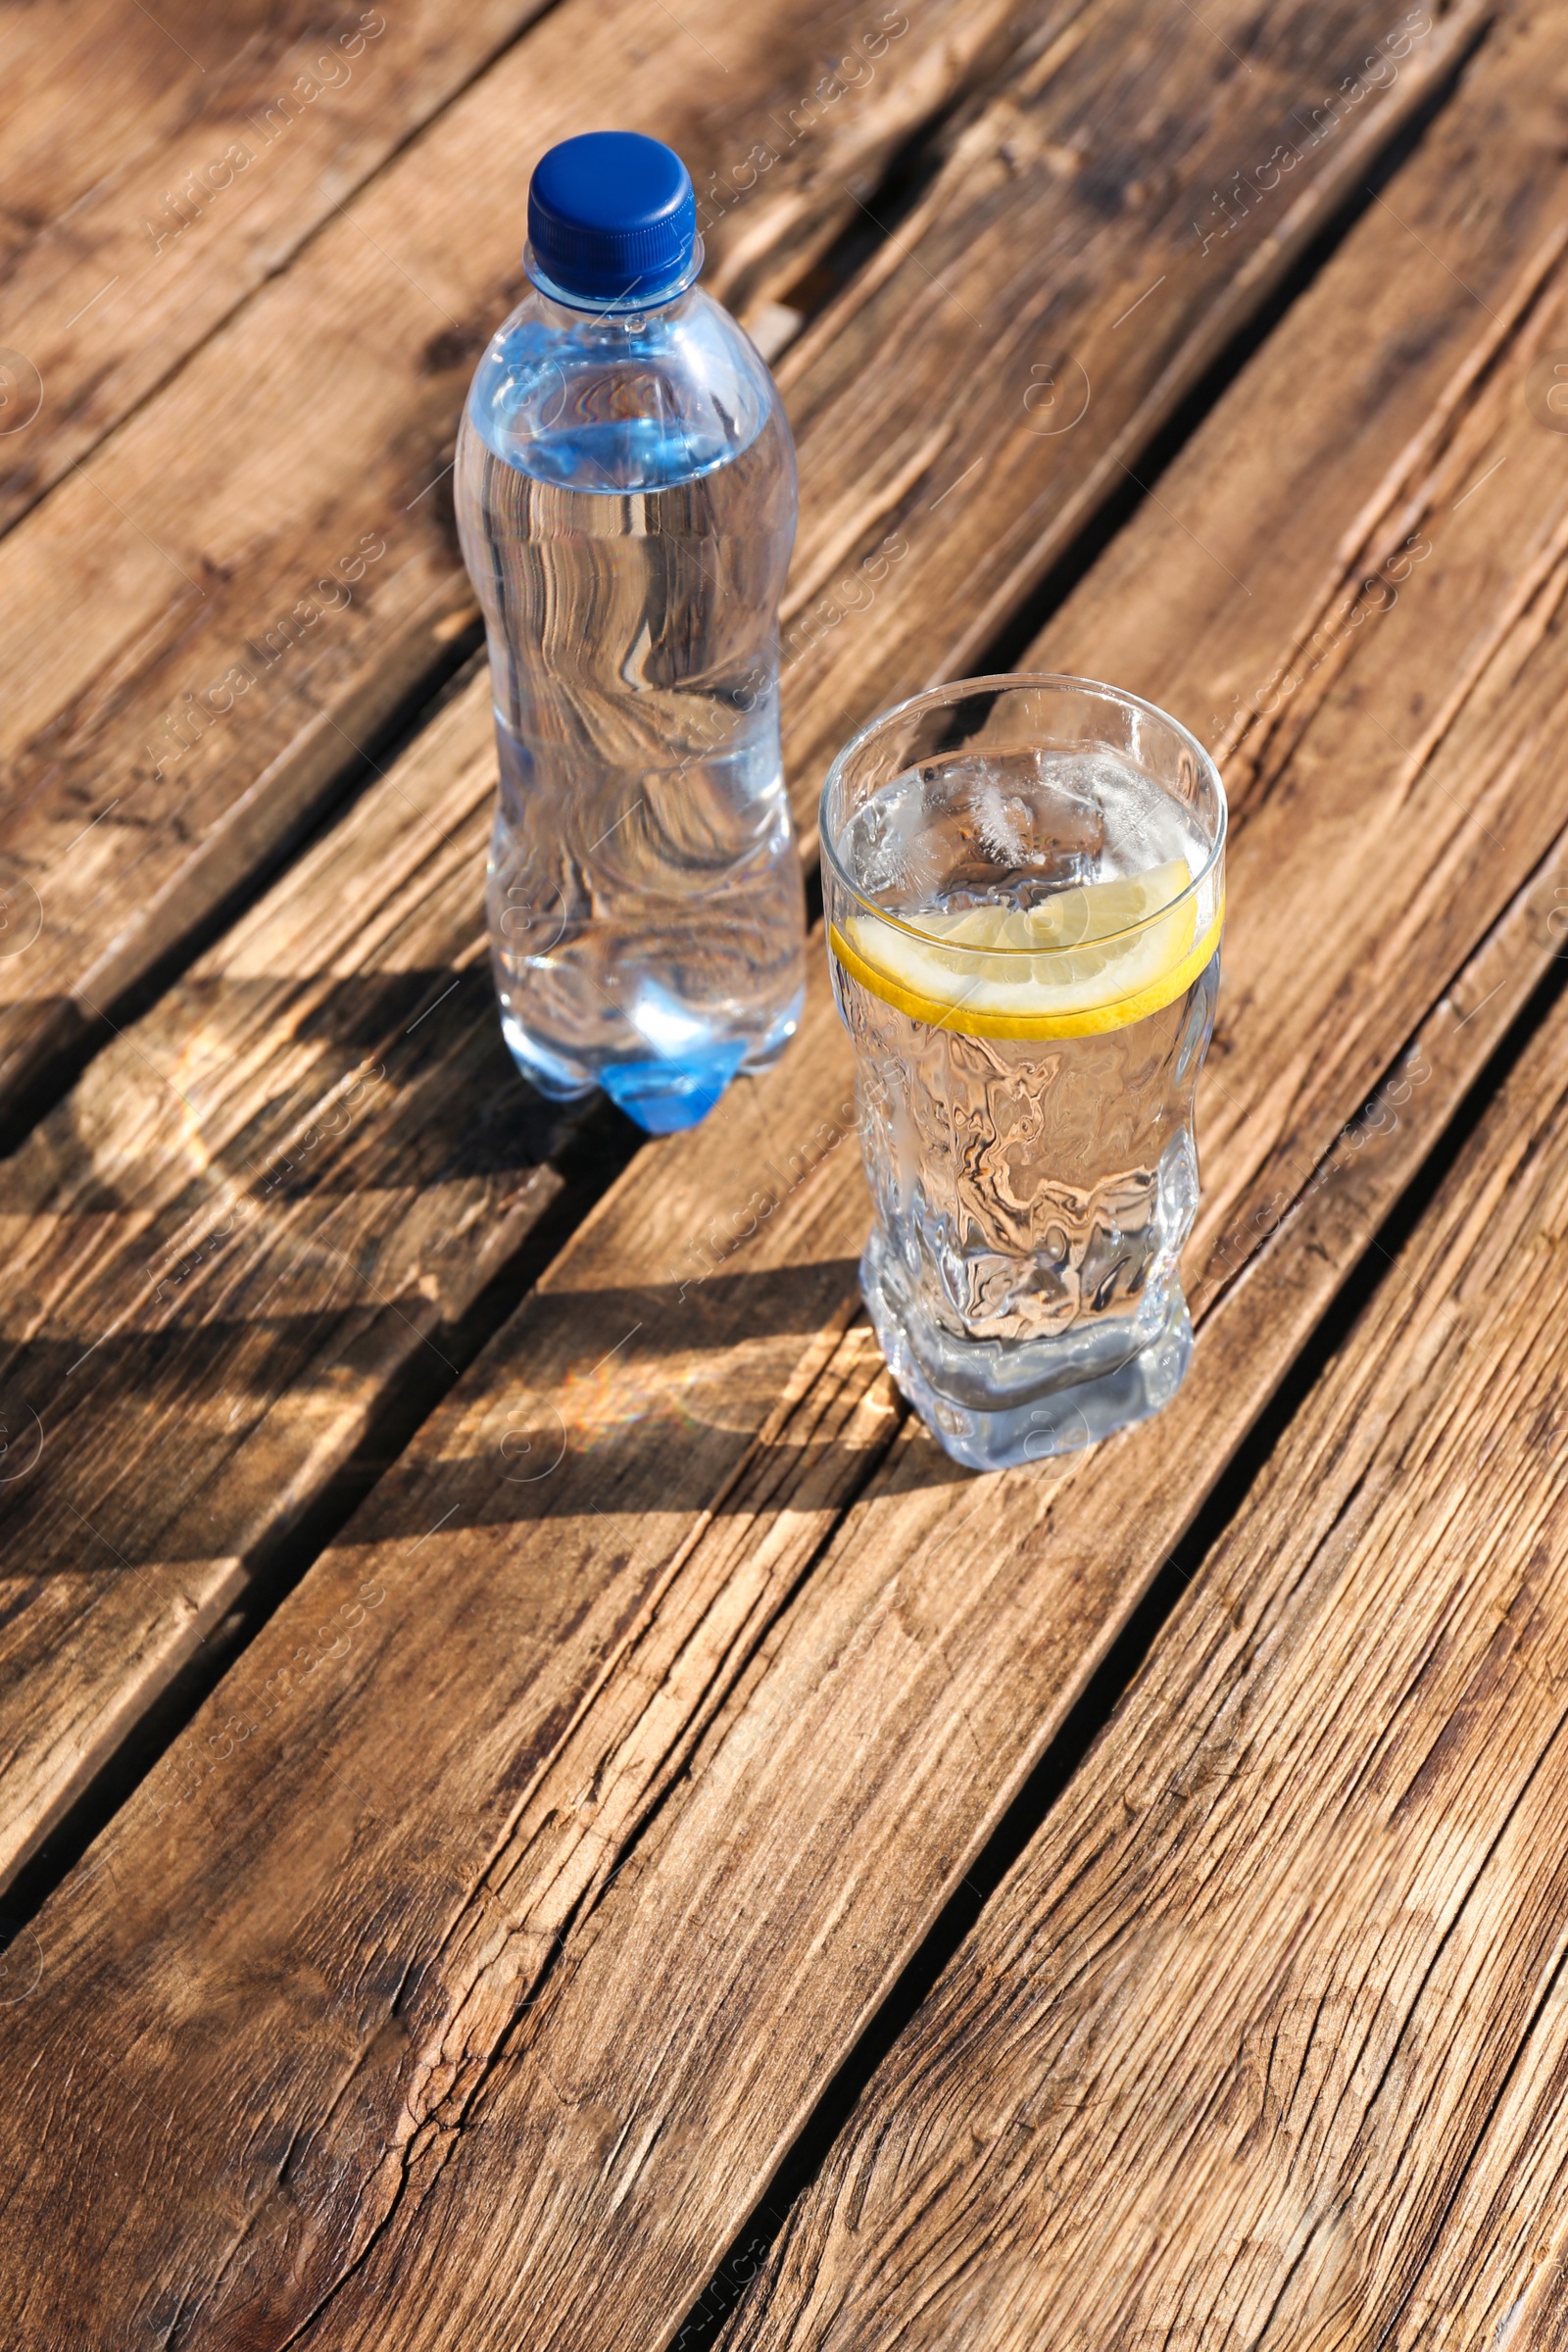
x=537, y=1808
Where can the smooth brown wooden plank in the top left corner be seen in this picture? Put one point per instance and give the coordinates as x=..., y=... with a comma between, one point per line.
x=161, y=168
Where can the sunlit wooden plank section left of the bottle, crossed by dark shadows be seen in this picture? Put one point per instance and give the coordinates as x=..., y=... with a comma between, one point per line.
x=255, y=1217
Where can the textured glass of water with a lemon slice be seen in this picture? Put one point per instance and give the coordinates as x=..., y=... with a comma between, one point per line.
x=1026, y=888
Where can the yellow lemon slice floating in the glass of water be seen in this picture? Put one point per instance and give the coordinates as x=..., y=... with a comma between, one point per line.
x=1083, y=963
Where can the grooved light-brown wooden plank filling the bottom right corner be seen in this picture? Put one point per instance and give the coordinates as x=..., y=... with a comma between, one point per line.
x=1266, y=2040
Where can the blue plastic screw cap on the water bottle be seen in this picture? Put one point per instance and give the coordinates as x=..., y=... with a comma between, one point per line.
x=612, y=222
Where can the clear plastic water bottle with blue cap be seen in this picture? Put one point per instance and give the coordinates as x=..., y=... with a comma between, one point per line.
x=626, y=505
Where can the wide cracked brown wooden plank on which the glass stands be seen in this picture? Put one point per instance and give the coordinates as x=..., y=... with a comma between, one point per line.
x=594, y=1744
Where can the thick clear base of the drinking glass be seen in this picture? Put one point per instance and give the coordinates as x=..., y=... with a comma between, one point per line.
x=1010, y=1405
